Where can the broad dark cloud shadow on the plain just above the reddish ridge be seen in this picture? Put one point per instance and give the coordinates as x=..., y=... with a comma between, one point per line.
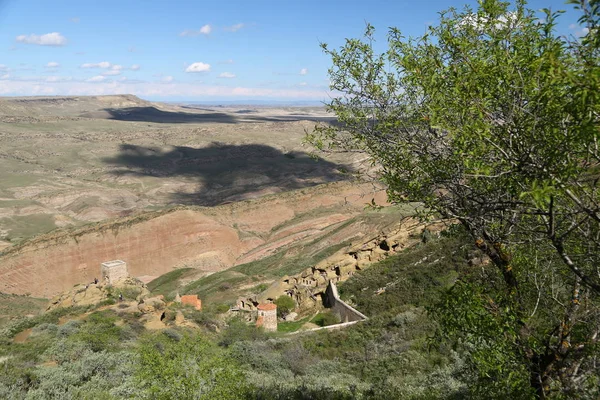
x=222, y=173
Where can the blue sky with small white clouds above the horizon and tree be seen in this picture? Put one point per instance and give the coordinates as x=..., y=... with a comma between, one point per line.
x=194, y=50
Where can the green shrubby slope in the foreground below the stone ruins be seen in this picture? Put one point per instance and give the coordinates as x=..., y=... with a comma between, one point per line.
x=96, y=353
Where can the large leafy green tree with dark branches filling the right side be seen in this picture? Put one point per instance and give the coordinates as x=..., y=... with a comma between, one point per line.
x=491, y=119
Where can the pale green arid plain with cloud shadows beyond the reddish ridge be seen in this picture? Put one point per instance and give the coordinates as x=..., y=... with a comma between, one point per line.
x=69, y=161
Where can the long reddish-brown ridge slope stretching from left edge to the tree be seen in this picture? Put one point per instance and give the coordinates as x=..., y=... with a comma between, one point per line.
x=210, y=239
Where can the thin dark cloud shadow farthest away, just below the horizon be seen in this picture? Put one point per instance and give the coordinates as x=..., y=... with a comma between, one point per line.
x=153, y=114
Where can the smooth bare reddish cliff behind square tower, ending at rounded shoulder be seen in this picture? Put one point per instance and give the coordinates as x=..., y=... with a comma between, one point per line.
x=152, y=247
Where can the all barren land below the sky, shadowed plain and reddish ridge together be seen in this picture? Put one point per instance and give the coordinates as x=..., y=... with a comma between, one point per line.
x=161, y=186
